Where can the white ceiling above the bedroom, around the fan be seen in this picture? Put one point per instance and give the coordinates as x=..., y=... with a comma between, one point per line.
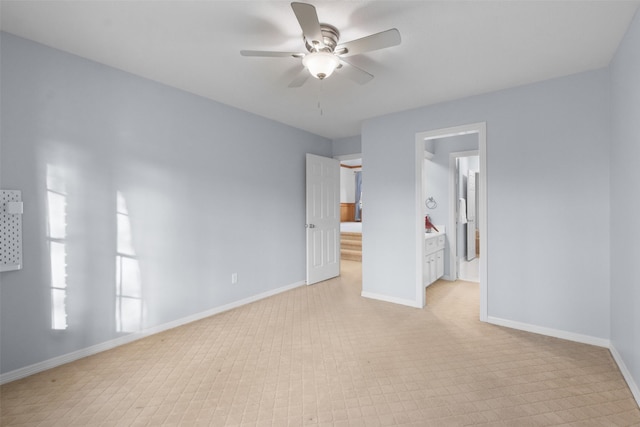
x=450, y=49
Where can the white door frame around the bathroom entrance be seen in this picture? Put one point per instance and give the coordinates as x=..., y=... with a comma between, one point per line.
x=481, y=129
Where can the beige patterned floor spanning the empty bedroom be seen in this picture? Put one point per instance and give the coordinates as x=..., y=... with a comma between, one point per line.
x=322, y=355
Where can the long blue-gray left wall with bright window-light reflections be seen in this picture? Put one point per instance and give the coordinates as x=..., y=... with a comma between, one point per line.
x=210, y=191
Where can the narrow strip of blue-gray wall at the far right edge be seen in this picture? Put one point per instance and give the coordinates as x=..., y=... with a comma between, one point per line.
x=625, y=204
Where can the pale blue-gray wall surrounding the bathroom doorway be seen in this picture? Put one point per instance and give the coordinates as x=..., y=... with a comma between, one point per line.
x=547, y=263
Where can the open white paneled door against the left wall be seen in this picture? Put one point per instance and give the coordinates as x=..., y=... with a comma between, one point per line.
x=323, y=218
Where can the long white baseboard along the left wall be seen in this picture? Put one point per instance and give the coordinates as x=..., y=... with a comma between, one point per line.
x=107, y=345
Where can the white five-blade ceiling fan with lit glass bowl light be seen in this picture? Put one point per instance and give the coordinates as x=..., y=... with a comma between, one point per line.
x=324, y=52
